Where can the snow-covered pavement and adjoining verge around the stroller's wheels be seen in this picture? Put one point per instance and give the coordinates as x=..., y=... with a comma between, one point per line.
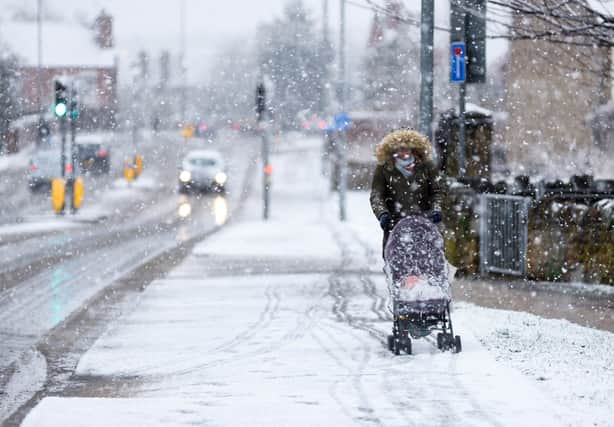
x=284, y=323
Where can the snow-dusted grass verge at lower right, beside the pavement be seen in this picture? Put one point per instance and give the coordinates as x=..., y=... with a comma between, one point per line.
x=572, y=364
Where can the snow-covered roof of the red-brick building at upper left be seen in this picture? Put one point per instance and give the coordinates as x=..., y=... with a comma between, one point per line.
x=64, y=44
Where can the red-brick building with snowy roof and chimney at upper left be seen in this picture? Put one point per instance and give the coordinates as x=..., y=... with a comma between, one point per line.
x=81, y=55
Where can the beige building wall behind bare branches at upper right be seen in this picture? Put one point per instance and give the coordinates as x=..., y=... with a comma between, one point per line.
x=551, y=88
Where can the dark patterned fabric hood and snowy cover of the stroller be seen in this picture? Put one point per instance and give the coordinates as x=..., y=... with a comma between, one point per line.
x=416, y=267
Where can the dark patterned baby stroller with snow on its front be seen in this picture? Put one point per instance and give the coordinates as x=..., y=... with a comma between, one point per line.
x=417, y=274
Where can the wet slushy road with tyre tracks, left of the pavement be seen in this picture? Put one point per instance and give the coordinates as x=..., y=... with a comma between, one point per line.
x=50, y=269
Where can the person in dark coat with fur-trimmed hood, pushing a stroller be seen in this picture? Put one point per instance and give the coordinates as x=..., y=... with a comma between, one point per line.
x=405, y=182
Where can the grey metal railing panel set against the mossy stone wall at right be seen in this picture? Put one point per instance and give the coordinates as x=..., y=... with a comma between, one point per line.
x=503, y=234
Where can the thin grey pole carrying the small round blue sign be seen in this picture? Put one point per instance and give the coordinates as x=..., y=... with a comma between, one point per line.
x=341, y=135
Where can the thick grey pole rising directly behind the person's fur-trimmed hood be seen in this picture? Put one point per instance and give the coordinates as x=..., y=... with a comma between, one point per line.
x=426, y=68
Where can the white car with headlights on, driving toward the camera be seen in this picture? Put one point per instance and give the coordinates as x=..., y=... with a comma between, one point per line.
x=202, y=171
